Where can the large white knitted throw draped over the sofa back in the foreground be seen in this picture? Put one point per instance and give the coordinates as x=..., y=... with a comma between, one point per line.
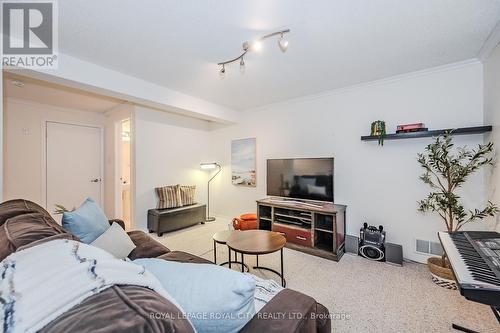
x=40, y=283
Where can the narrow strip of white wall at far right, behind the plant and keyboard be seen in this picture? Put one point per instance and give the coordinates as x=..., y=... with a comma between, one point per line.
x=492, y=116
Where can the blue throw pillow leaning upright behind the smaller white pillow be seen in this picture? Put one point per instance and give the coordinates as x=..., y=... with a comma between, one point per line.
x=87, y=222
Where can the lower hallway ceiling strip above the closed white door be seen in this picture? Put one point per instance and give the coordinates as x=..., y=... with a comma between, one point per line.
x=56, y=95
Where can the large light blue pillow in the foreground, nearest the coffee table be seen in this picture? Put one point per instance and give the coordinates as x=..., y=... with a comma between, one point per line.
x=214, y=298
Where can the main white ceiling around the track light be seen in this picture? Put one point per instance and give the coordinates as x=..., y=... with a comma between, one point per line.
x=333, y=43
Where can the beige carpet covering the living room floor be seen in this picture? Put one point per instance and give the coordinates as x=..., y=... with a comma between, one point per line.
x=365, y=296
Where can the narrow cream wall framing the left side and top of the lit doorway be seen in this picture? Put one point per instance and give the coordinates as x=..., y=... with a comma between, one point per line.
x=111, y=173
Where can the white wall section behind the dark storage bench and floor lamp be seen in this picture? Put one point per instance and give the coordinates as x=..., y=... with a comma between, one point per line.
x=167, y=150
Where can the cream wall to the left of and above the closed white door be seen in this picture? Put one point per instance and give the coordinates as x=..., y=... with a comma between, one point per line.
x=24, y=126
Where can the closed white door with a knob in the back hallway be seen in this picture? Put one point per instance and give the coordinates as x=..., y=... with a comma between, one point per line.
x=74, y=164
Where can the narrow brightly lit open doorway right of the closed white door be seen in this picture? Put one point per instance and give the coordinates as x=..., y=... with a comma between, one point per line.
x=124, y=162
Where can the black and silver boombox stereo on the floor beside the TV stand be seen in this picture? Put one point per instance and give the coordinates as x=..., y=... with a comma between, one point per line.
x=371, y=242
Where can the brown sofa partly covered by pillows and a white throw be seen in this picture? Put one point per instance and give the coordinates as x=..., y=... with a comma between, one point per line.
x=132, y=309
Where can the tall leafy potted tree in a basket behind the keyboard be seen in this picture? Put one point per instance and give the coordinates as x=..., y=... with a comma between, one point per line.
x=445, y=171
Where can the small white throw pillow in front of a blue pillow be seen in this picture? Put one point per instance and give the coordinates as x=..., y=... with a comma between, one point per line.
x=115, y=241
